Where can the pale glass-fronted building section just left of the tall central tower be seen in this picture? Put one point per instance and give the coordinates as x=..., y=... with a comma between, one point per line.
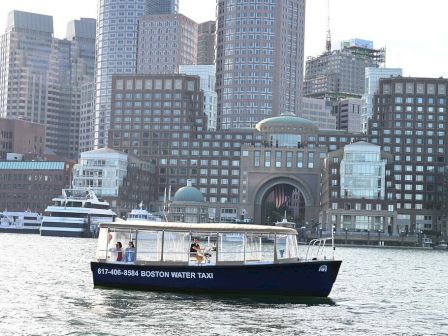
x=207, y=77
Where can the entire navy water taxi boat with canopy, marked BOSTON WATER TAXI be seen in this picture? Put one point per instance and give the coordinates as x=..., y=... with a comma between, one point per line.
x=160, y=260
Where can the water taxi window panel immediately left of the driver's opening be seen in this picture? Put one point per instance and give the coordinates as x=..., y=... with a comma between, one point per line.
x=176, y=246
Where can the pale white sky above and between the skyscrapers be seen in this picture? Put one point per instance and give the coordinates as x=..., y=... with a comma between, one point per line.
x=414, y=33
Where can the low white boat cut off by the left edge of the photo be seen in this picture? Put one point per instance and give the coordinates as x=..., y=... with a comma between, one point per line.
x=20, y=222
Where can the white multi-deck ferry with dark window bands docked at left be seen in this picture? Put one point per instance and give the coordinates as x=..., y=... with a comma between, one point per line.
x=76, y=213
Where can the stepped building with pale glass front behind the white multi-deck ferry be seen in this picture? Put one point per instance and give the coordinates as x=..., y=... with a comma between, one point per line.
x=120, y=178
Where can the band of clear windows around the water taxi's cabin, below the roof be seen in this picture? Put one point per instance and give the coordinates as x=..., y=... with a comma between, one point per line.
x=155, y=246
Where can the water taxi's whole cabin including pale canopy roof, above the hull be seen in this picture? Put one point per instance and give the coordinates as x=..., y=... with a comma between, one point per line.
x=174, y=243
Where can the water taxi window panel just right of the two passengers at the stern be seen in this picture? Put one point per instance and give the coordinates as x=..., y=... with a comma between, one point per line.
x=149, y=246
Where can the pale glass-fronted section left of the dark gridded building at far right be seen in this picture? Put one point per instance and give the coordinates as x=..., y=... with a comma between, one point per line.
x=372, y=82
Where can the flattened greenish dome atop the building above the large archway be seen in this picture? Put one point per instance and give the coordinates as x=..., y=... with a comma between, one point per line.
x=286, y=123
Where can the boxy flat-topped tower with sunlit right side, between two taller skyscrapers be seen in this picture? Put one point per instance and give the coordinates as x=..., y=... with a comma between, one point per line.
x=165, y=42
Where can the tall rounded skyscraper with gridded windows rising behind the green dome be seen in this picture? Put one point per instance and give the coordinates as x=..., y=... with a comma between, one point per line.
x=259, y=63
